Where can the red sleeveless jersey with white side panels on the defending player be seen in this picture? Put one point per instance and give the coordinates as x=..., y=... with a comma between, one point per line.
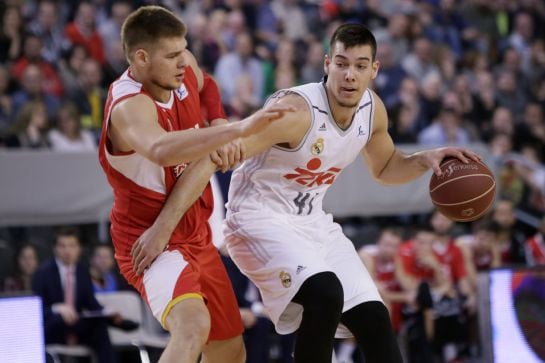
x=140, y=187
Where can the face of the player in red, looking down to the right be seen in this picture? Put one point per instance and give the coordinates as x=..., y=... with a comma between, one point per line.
x=168, y=62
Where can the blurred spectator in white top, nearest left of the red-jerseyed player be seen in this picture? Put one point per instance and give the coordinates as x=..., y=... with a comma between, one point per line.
x=68, y=135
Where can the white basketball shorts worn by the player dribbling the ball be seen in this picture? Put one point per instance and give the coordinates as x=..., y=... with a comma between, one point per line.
x=278, y=252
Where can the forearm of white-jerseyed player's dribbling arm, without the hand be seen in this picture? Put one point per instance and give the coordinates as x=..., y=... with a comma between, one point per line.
x=402, y=168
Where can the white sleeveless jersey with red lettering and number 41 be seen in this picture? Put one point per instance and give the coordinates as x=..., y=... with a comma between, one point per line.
x=294, y=181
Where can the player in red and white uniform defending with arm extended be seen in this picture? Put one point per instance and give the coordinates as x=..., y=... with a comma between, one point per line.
x=152, y=128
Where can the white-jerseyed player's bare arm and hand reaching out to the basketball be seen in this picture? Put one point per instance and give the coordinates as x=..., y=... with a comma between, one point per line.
x=390, y=166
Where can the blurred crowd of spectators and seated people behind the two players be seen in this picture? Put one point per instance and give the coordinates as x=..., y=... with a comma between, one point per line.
x=451, y=72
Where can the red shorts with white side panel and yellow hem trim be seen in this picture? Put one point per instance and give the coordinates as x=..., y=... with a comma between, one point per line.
x=188, y=271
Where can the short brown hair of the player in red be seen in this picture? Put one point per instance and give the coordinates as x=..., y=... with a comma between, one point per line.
x=149, y=24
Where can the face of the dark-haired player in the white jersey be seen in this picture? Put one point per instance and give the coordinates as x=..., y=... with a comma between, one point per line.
x=349, y=73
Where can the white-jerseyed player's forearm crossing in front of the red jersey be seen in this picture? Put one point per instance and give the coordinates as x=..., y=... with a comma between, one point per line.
x=186, y=191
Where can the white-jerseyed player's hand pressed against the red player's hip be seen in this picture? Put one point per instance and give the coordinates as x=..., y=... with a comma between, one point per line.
x=147, y=247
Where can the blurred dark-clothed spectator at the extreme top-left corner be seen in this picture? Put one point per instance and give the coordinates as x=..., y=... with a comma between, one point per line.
x=11, y=34
